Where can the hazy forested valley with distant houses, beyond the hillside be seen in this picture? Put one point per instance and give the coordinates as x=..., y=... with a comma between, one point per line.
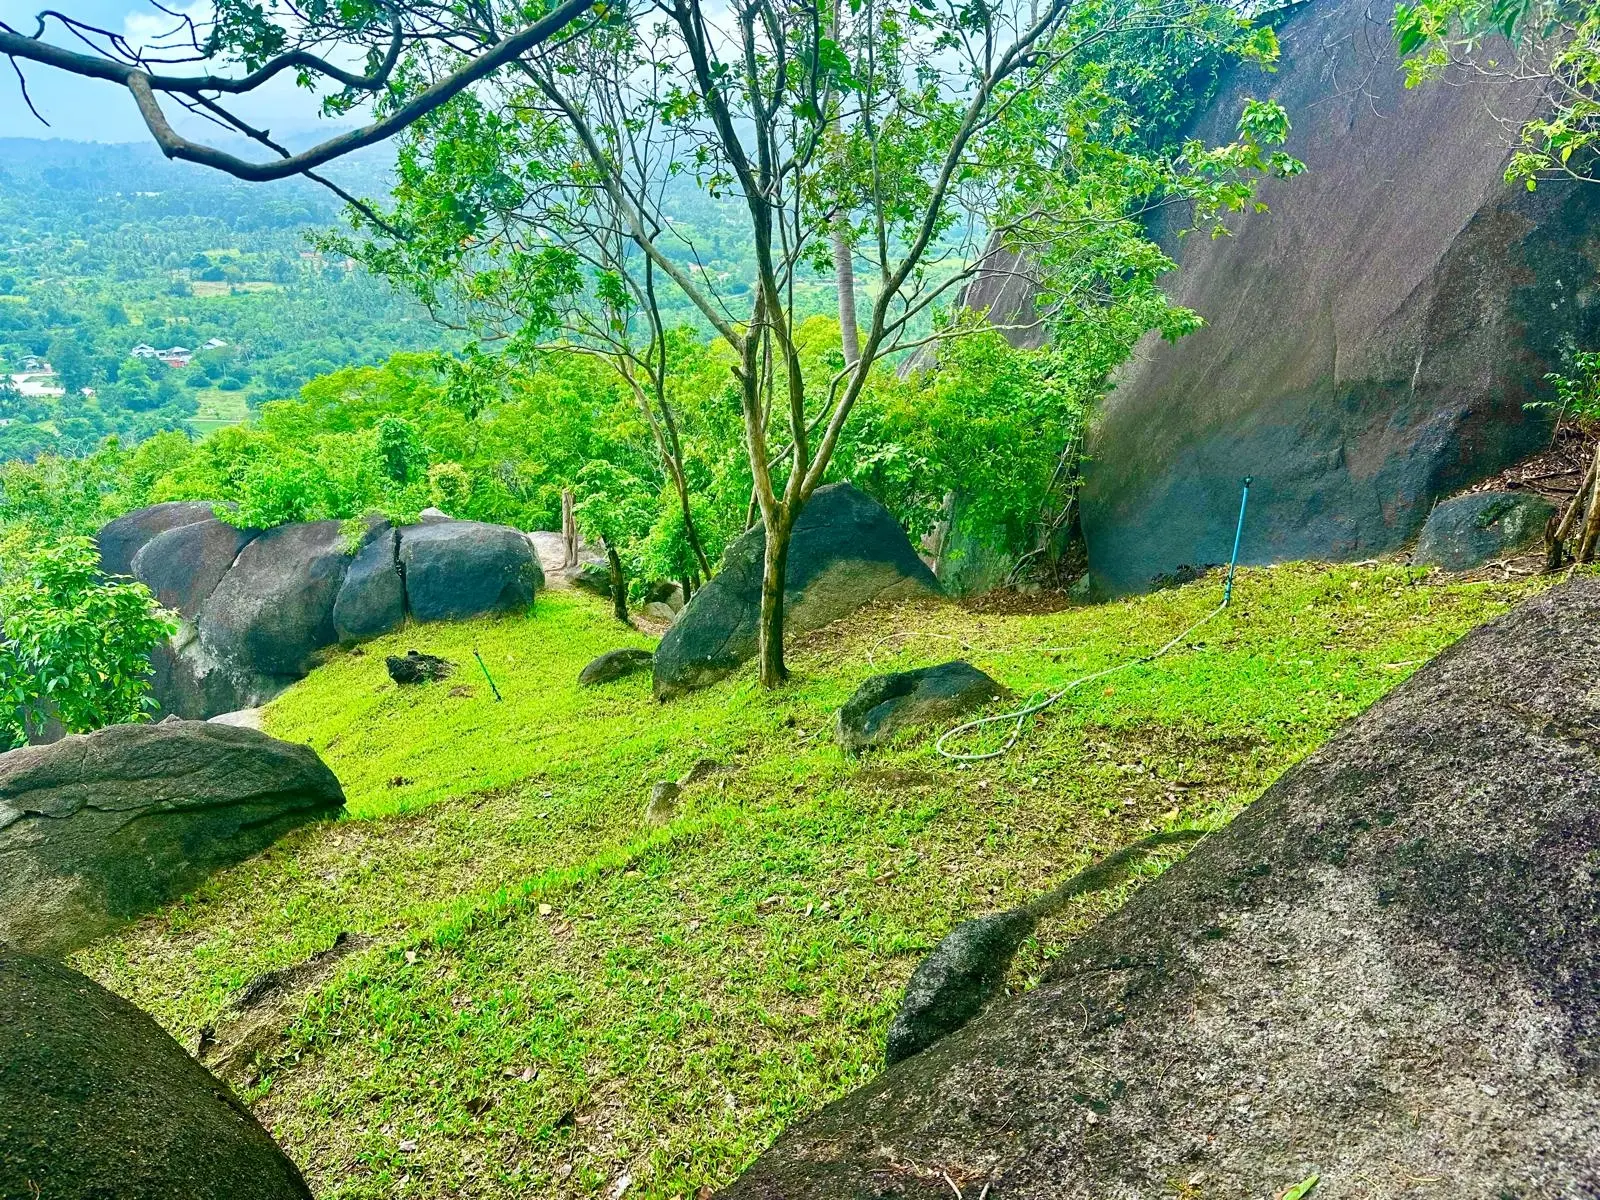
x=108, y=249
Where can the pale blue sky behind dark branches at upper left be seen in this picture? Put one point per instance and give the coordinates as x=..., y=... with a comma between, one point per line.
x=81, y=110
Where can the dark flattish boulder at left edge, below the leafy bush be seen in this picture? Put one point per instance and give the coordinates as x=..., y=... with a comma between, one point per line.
x=105, y=826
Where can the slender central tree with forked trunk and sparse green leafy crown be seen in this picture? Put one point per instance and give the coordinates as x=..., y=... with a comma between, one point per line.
x=926, y=126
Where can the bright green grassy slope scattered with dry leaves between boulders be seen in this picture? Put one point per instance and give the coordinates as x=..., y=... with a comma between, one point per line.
x=561, y=999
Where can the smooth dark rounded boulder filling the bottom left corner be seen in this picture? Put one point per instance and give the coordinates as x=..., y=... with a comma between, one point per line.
x=97, y=1102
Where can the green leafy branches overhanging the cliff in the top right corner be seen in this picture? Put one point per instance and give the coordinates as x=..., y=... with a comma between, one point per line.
x=1548, y=44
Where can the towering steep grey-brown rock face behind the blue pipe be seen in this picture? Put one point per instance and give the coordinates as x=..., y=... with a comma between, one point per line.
x=1370, y=346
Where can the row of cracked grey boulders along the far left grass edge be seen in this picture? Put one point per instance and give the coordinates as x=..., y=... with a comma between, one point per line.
x=258, y=607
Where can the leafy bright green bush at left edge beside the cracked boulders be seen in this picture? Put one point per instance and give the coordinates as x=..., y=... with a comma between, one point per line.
x=73, y=647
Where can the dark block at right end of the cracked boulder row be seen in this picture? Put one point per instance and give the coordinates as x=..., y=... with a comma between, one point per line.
x=466, y=569
